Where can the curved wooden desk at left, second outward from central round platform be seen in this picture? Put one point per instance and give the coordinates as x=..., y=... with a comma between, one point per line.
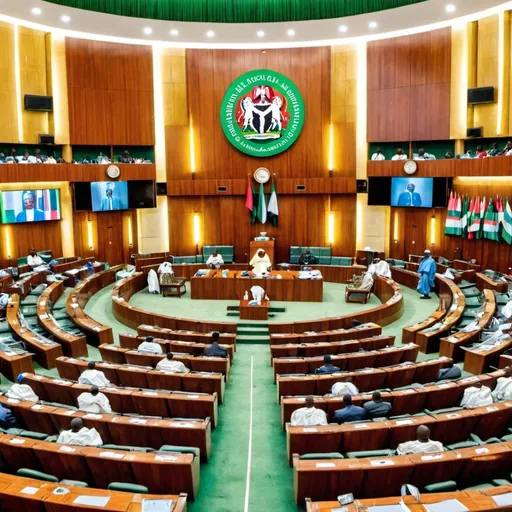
x=72, y=345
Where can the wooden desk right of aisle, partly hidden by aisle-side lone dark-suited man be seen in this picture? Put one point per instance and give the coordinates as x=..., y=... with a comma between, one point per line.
x=387, y=356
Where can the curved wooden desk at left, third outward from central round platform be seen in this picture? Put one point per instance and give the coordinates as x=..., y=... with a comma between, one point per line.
x=46, y=351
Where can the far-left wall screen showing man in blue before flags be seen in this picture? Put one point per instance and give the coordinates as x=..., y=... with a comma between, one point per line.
x=18, y=206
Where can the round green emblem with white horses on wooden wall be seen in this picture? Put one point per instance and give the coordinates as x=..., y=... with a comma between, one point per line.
x=262, y=113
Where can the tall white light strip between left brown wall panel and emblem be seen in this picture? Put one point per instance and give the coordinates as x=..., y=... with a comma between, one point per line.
x=158, y=99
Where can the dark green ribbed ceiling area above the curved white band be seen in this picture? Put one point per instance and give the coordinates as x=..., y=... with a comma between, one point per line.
x=236, y=11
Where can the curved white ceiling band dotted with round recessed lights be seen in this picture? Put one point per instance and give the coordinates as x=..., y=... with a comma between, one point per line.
x=415, y=18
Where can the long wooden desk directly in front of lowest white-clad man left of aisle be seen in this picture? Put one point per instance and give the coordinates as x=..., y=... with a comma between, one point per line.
x=114, y=428
